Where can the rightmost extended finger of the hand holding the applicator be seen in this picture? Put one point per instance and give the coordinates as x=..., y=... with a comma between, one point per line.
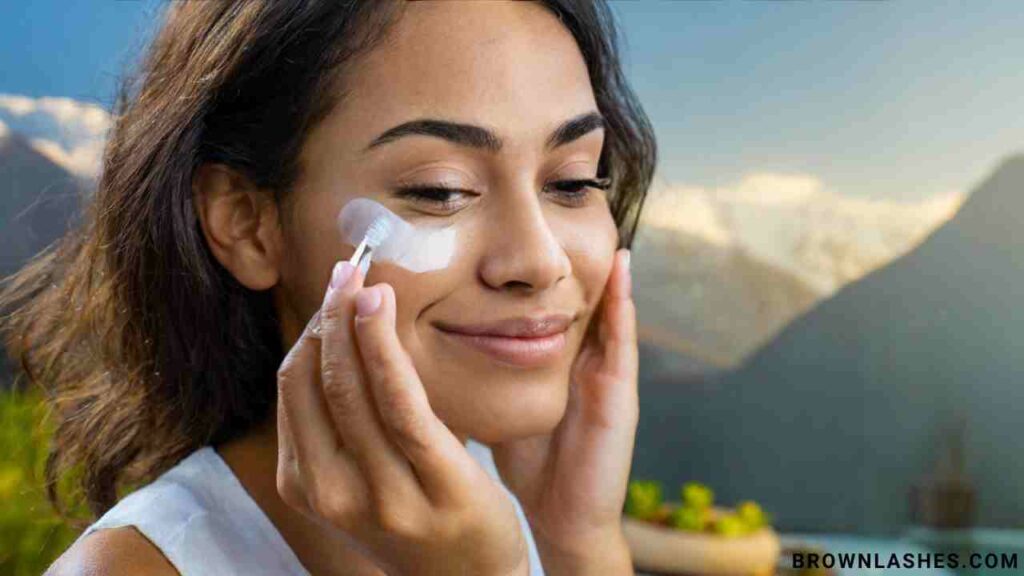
x=442, y=462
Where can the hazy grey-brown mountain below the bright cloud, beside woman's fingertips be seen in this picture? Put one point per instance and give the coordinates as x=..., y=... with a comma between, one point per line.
x=710, y=302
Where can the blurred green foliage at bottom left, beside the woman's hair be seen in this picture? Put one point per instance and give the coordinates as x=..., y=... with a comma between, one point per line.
x=32, y=536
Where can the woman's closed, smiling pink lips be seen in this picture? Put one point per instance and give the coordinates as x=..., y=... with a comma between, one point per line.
x=525, y=343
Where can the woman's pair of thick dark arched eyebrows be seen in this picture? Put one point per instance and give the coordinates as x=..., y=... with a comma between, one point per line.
x=480, y=138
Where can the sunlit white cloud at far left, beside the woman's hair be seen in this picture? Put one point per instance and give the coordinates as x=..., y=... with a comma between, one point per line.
x=68, y=132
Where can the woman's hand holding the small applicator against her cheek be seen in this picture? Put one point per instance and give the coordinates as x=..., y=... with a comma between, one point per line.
x=361, y=449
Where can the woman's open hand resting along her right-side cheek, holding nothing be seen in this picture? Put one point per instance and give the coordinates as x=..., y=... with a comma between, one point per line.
x=572, y=483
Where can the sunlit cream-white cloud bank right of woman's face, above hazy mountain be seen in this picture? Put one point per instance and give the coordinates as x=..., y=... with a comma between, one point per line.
x=796, y=223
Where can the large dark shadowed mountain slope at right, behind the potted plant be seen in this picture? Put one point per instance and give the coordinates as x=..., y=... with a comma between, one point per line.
x=831, y=424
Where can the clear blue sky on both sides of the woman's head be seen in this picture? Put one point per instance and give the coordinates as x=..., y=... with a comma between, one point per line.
x=898, y=100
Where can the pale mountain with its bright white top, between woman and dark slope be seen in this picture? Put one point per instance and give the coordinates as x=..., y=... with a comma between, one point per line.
x=719, y=272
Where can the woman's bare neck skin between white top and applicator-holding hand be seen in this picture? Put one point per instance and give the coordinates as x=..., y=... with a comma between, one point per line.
x=322, y=551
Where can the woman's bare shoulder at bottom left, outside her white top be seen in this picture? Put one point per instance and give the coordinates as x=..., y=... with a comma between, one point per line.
x=113, y=552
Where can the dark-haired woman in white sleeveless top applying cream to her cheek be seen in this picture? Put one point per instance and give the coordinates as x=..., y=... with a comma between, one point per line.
x=175, y=334
